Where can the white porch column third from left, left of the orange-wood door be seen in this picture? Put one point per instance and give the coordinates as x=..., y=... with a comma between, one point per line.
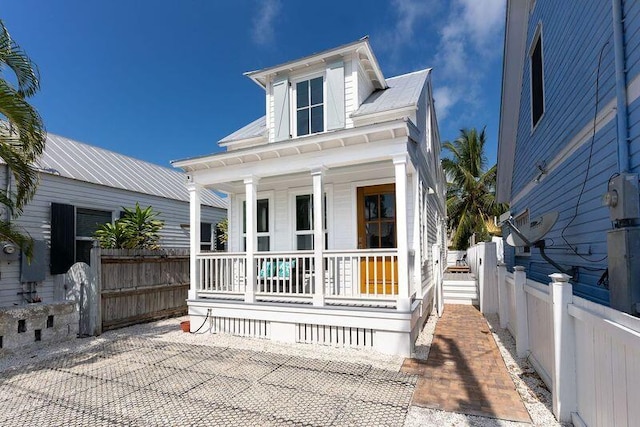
x=318, y=236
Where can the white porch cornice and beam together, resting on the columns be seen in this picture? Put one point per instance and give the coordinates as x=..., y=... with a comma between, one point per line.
x=364, y=145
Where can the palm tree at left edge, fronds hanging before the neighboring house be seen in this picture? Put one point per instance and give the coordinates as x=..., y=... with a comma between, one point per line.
x=22, y=134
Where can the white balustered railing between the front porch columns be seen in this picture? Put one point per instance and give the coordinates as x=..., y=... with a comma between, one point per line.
x=360, y=274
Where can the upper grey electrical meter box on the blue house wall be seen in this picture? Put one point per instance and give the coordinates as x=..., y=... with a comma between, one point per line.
x=624, y=197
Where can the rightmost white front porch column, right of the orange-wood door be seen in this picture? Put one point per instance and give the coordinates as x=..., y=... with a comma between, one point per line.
x=403, y=301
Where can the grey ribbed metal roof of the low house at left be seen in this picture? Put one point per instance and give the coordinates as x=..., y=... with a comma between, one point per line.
x=72, y=159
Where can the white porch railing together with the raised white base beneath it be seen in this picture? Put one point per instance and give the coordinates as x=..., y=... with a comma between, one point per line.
x=357, y=306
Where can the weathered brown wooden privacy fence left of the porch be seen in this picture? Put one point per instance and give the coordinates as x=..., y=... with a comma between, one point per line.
x=136, y=286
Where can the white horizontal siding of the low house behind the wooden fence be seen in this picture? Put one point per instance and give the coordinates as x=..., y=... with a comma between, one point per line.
x=36, y=222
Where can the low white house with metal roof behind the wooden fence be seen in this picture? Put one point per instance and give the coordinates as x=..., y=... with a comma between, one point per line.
x=80, y=187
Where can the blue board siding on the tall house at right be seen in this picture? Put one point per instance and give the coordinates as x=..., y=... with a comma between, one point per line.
x=573, y=37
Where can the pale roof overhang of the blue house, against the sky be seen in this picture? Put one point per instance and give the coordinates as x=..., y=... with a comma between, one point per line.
x=512, y=68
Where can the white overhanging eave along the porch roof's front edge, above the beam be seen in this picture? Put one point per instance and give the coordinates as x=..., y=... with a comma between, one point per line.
x=316, y=142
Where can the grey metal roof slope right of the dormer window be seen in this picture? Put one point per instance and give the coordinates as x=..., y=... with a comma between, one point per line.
x=403, y=91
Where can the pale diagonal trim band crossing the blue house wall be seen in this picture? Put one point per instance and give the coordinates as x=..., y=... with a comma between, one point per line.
x=606, y=114
